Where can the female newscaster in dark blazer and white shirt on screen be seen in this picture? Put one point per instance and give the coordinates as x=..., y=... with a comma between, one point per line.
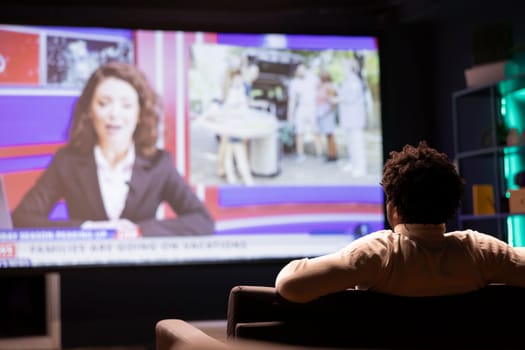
x=111, y=174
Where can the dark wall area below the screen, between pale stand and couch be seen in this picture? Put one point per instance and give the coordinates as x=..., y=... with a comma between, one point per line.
x=120, y=306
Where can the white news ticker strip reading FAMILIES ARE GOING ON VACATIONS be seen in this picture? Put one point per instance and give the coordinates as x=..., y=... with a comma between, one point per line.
x=32, y=252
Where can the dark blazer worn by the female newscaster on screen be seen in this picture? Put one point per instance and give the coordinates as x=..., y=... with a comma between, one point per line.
x=73, y=177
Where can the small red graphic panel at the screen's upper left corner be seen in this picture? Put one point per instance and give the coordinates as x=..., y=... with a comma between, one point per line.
x=19, y=57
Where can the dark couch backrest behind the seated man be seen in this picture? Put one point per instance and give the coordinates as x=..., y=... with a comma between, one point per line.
x=487, y=318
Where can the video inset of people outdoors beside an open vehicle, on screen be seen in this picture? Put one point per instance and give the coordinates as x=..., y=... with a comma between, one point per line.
x=299, y=117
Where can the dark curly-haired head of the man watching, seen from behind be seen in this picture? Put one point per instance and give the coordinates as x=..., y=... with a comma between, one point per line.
x=422, y=184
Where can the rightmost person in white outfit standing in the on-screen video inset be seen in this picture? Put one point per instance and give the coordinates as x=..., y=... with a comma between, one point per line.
x=352, y=117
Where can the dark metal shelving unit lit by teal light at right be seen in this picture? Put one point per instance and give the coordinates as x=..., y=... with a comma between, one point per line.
x=481, y=119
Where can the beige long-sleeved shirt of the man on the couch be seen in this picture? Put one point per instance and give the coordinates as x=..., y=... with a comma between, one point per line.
x=412, y=260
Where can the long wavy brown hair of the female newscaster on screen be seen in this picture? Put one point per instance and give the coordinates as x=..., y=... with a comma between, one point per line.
x=83, y=137
